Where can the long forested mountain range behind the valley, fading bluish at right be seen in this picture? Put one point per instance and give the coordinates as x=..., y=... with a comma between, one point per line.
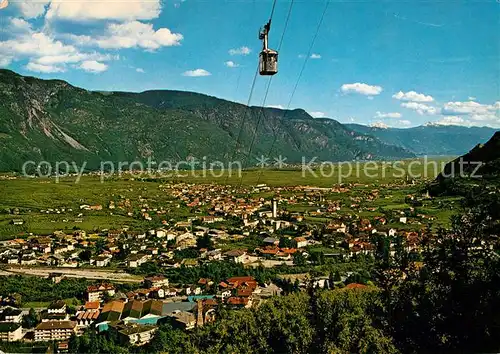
x=52, y=120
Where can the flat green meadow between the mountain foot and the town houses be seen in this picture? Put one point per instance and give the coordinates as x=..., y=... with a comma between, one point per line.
x=49, y=204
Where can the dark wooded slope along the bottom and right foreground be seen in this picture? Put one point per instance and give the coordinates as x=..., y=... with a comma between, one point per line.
x=448, y=303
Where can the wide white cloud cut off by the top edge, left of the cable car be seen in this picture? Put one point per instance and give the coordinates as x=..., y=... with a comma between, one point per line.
x=104, y=10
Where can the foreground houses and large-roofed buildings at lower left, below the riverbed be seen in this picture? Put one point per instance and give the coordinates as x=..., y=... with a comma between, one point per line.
x=136, y=315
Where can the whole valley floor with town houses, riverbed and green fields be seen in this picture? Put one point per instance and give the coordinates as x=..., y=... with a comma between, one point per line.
x=182, y=250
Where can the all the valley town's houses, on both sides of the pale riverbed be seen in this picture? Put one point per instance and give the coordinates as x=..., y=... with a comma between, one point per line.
x=224, y=220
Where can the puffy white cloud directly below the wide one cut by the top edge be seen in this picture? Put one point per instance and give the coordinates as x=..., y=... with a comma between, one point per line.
x=133, y=34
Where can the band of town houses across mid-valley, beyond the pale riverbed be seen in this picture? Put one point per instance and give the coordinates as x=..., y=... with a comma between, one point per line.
x=222, y=216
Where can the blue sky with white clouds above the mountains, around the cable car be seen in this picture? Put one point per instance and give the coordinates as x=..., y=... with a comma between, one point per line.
x=385, y=63
